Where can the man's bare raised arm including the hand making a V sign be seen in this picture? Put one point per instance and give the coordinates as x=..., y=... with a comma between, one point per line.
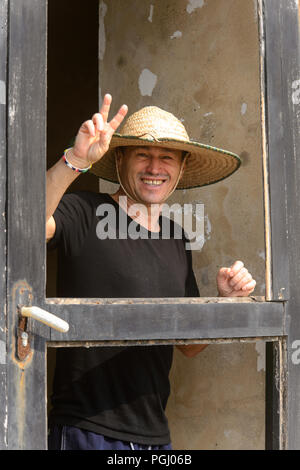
x=92, y=142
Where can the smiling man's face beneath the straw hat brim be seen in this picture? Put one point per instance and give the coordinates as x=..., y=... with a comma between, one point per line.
x=149, y=173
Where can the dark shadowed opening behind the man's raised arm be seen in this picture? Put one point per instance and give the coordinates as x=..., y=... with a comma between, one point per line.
x=72, y=91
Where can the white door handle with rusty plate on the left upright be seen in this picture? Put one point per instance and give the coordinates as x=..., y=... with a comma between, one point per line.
x=23, y=334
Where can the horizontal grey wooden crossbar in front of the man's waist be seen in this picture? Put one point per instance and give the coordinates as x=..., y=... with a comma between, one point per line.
x=170, y=319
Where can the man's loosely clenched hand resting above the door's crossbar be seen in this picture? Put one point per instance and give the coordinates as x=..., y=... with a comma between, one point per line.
x=235, y=281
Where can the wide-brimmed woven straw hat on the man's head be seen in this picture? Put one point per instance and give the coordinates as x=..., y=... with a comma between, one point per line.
x=154, y=126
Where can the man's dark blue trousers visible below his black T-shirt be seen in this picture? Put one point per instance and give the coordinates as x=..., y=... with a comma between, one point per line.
x=72, y=438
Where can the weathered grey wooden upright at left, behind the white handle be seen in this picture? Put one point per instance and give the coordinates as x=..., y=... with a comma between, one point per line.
x=26, y=191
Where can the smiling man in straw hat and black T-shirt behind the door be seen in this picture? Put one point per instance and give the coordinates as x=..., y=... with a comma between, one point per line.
x=115, y=397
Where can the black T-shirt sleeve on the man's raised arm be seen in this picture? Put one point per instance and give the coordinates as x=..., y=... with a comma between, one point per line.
x=73, y=218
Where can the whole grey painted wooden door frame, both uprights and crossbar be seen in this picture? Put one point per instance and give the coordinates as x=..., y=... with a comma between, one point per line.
x=130, y=321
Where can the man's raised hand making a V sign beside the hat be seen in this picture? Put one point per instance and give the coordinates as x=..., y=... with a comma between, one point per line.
x=94, y=136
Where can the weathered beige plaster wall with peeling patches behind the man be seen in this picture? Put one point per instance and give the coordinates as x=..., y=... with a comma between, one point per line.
x=199, y=59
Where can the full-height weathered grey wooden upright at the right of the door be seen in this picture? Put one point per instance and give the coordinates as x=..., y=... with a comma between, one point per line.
x=283, y=90
